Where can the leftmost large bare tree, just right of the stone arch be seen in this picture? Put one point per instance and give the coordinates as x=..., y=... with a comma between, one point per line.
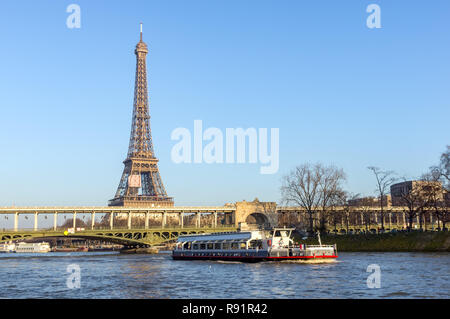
x=301, y=187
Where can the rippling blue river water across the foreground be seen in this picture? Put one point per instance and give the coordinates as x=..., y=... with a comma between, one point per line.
x=108, y=275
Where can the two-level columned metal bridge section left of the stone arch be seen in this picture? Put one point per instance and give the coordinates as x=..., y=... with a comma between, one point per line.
x=137, y=230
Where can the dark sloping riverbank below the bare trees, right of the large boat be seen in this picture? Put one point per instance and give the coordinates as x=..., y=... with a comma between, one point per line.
x=389, y=242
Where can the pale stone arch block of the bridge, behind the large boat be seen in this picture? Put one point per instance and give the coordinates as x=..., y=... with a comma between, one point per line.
x=256, y=212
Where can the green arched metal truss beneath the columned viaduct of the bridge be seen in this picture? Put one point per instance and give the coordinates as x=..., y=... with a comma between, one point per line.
x=127, y=237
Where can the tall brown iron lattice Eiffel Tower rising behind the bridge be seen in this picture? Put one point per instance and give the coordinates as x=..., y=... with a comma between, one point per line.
x=141, y=184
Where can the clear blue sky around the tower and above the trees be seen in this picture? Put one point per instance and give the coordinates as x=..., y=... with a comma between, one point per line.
x=339, y=92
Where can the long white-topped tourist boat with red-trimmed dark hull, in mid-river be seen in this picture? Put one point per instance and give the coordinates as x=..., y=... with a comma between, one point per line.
x=251, y=246
